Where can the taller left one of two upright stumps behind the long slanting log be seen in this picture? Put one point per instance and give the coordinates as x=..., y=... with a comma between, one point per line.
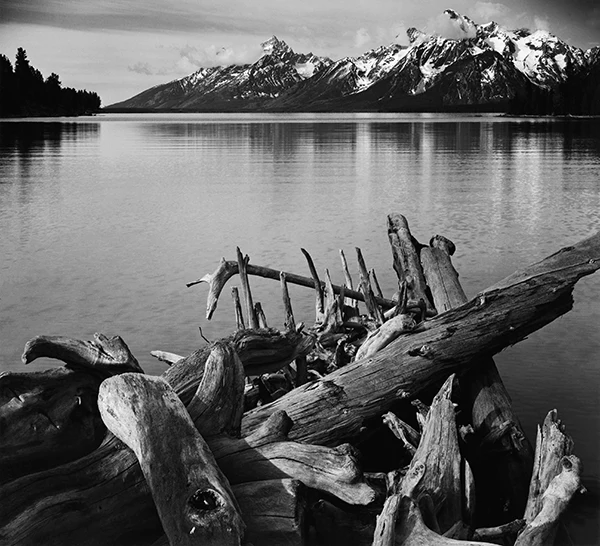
x=406, y=260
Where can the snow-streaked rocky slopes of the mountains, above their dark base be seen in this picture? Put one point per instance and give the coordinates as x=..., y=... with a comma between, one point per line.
x=494, y=59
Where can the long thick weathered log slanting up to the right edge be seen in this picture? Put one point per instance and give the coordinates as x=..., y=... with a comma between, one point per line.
x=334, y=409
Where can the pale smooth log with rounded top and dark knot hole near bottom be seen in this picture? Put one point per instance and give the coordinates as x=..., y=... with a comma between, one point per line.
x=192, y=496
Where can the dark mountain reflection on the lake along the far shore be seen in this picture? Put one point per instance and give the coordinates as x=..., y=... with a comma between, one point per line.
x=285, y=140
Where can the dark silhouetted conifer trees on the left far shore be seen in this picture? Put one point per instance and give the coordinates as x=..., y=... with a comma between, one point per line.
x=25, y=92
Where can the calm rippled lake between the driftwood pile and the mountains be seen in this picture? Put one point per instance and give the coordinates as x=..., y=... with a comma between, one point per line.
x=104, y=219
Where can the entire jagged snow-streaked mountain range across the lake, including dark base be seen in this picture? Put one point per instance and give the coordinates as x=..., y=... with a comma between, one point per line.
x=486, y=69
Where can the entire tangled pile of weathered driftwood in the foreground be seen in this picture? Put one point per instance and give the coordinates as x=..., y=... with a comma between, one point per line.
x=388, y=427
